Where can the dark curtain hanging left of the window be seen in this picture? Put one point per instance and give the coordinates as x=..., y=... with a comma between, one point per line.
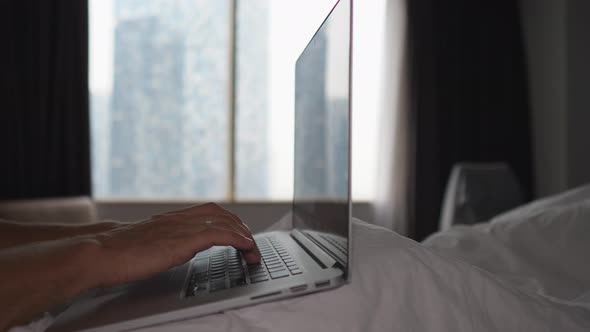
x=44, y=121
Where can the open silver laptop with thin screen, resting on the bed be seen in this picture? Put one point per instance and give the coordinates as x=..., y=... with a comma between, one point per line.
x=311, y=257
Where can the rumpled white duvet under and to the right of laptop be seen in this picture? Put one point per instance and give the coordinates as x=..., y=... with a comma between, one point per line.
x=525, y=271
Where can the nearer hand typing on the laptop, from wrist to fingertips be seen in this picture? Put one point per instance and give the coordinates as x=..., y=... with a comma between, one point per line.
x=140, y=250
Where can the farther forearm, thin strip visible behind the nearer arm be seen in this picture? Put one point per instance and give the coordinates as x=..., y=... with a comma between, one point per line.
x=14, y=234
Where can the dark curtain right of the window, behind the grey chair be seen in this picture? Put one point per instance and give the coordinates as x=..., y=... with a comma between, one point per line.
x=469, y=95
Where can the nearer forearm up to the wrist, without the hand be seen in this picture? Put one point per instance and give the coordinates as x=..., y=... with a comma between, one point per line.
x=37, y=277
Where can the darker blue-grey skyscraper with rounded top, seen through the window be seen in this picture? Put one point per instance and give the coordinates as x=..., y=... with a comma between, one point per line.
x=147, y=102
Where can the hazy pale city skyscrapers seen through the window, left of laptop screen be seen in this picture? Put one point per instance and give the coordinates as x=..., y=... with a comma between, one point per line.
x=167, y=117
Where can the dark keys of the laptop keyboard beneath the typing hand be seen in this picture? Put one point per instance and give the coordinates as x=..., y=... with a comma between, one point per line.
x=222, y=267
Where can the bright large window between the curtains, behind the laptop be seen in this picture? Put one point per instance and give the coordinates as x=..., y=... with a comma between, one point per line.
x=184, y=106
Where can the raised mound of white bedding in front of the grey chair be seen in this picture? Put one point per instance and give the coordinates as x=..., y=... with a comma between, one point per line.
x=542, y=248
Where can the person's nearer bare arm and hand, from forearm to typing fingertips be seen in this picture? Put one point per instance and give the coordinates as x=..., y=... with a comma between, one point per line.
x=40, y=275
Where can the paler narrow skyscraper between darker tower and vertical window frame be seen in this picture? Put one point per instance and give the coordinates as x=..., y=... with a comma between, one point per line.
x=206, y=92
